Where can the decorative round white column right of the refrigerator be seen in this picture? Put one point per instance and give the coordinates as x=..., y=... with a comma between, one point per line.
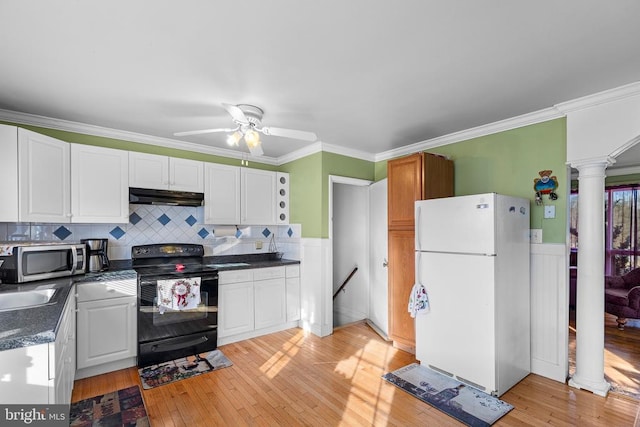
x=589, y=373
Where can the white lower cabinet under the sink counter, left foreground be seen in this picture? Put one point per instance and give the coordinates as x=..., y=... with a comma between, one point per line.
x=44, y=373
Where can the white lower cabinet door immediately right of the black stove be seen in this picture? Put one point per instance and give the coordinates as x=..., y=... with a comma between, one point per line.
x=235, y=309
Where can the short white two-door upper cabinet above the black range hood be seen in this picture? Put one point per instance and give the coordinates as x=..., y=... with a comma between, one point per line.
x=165, y=173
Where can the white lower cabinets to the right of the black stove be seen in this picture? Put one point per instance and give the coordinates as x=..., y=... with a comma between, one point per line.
x=253, y=302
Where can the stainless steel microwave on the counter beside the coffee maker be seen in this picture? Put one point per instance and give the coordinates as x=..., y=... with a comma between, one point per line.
x=30, y=261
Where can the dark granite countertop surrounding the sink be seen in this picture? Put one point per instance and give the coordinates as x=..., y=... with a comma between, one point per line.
x=36, y=325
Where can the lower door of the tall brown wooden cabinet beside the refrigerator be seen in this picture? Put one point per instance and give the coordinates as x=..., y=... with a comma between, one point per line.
x=401, y=280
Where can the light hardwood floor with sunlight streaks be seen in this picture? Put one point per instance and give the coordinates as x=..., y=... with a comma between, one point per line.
x=293, y=378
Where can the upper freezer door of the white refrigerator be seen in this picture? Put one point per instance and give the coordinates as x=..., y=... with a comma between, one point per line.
x=463, y=224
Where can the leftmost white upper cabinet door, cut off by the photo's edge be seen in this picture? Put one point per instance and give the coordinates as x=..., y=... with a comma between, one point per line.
x=9, y=168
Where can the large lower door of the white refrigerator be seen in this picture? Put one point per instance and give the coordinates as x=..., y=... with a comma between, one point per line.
x=457, y=335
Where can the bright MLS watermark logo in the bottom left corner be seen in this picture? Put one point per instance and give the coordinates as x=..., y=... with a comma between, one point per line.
x=38, y=415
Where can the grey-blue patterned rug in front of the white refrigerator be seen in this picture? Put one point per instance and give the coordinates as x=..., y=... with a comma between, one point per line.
x=464, y=403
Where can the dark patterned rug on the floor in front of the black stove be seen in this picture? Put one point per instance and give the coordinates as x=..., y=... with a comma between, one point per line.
x=180, y=369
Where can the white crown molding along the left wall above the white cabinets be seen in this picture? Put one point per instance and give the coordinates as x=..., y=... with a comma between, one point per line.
x=86, y=129
